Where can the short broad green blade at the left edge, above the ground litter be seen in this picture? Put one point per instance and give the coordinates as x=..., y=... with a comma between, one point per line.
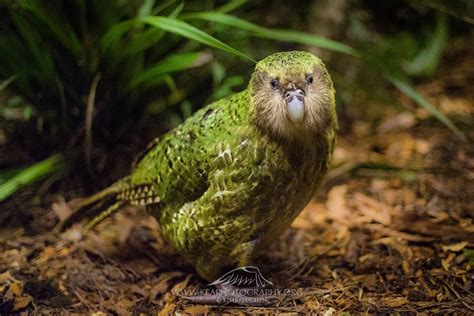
x=30, y=175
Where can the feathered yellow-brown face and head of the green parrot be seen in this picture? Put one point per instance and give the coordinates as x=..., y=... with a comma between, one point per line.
x=292, y=95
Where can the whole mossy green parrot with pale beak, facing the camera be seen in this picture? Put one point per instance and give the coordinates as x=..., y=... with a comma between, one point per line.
x=229, y=180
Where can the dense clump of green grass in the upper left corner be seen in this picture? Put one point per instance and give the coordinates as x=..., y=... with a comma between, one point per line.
x=54, y=52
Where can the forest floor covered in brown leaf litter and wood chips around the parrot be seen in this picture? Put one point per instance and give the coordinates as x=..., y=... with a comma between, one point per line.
x=391, y=231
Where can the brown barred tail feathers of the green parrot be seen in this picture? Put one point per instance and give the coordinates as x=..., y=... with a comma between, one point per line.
x=101, y=205
